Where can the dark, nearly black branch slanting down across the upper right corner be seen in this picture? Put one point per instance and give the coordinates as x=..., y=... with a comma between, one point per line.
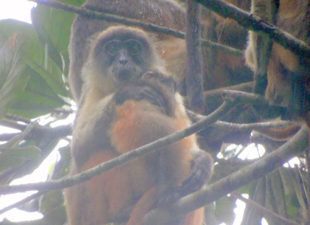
x=251, y=22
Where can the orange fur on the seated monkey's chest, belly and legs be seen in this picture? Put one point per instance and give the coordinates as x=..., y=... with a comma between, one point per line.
x=104, y=198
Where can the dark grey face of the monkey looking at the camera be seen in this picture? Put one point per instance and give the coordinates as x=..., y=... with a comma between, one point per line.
x=123, y=56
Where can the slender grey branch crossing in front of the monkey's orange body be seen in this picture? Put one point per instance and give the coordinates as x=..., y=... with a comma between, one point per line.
x=122, y=159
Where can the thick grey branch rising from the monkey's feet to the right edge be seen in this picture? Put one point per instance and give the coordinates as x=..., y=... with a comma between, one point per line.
x=234, y=181
